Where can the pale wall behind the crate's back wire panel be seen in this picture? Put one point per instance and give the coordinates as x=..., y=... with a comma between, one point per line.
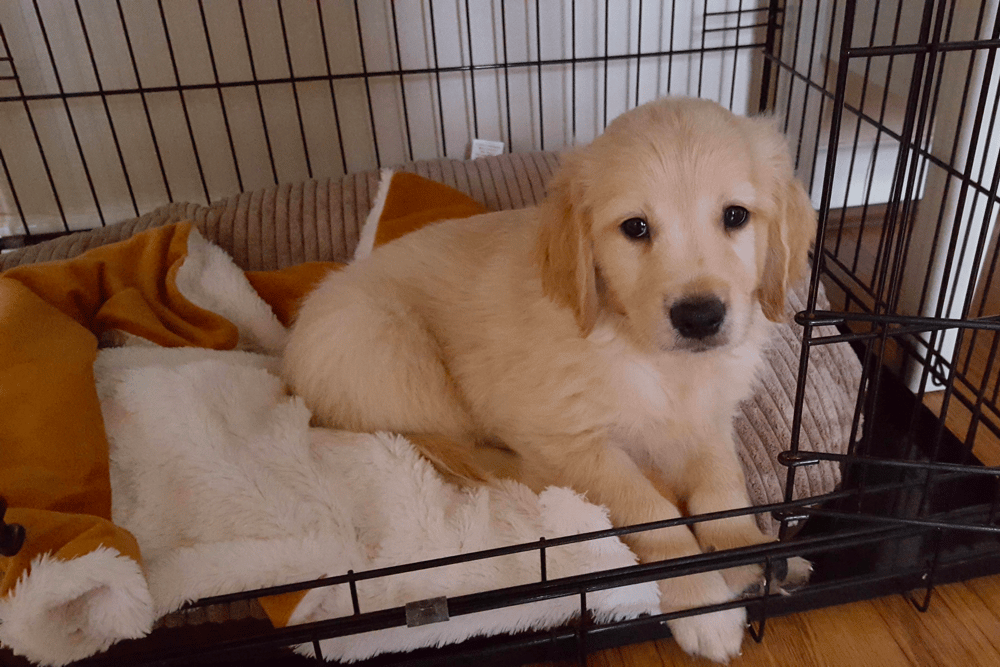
x=167, y=127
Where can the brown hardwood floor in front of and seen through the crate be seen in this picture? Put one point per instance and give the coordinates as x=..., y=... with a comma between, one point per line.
x=962, y=626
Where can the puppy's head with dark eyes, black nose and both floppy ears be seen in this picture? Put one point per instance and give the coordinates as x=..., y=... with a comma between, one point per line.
x=680, y=223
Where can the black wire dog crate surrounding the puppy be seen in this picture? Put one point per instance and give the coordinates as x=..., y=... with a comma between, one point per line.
x=110, y=109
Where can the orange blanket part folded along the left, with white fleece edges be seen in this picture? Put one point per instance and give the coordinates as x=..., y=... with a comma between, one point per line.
x=77, y=584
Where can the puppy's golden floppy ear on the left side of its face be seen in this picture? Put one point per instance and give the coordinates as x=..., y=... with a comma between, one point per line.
x=565, y=252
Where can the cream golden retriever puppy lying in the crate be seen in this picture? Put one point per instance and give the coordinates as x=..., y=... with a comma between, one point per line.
x=600, y=341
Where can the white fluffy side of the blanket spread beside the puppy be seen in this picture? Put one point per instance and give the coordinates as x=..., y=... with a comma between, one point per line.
x=217, y=473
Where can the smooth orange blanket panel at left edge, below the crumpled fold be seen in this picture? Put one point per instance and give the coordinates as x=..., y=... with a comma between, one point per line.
x=54, y=475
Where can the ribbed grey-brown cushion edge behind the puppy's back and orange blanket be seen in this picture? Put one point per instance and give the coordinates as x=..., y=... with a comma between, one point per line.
x=289, y=224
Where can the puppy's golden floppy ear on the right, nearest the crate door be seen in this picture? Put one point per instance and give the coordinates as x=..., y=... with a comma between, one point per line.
x=791, y=229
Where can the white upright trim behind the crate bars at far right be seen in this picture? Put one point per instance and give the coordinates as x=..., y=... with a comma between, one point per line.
x=945, y=244
